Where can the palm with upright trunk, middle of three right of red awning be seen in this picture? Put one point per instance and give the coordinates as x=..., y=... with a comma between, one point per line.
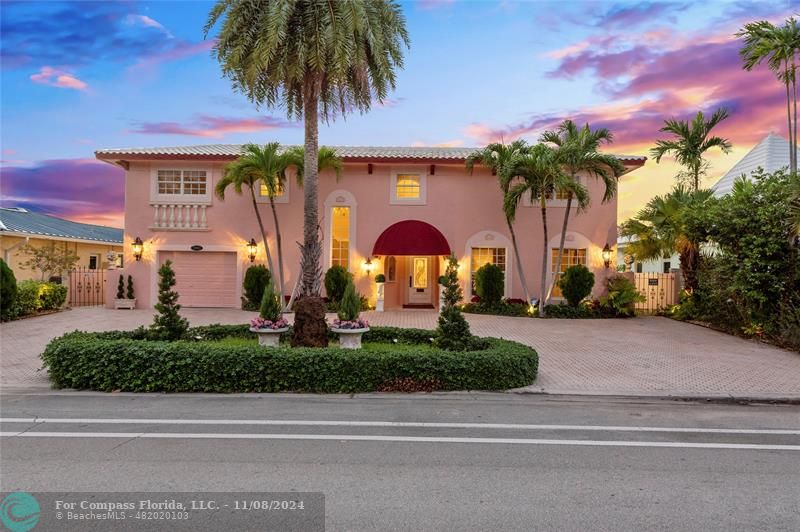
x=540, y=175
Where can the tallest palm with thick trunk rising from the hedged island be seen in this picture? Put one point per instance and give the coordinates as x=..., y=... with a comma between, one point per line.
x=319, y=60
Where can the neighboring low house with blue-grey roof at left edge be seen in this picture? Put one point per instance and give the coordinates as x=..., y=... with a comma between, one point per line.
x=97, y=246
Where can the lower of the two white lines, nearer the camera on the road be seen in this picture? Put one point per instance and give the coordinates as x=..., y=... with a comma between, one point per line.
x=404, y=439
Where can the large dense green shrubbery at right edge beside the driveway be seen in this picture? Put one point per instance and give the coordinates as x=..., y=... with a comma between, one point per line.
x=751, y=281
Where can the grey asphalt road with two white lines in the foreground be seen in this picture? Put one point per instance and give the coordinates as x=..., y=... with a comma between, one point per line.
x=425, y=462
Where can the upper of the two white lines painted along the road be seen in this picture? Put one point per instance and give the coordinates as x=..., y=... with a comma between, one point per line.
x=412, y=424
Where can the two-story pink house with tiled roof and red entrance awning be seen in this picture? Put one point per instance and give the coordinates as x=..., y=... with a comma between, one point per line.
x=399, y=211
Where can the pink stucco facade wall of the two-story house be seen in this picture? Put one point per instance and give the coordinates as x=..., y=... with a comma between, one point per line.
x=465, y=208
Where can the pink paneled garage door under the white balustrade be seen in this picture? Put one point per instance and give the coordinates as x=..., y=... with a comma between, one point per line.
x=204, y=279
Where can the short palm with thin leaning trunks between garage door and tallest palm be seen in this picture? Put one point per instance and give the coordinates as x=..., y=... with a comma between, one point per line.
x=254, y=167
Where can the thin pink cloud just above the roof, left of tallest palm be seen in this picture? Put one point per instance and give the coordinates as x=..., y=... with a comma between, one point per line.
x=212, y=126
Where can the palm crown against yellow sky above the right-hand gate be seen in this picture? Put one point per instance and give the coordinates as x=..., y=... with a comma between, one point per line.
x=691, y=142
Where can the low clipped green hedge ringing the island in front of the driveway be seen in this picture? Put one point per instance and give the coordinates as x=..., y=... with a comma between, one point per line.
x=121, y=361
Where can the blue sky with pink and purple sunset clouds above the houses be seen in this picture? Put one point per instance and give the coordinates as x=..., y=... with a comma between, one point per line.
x=81, y=76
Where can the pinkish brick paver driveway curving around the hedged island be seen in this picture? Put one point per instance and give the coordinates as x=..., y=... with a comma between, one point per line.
x=642, y=356
